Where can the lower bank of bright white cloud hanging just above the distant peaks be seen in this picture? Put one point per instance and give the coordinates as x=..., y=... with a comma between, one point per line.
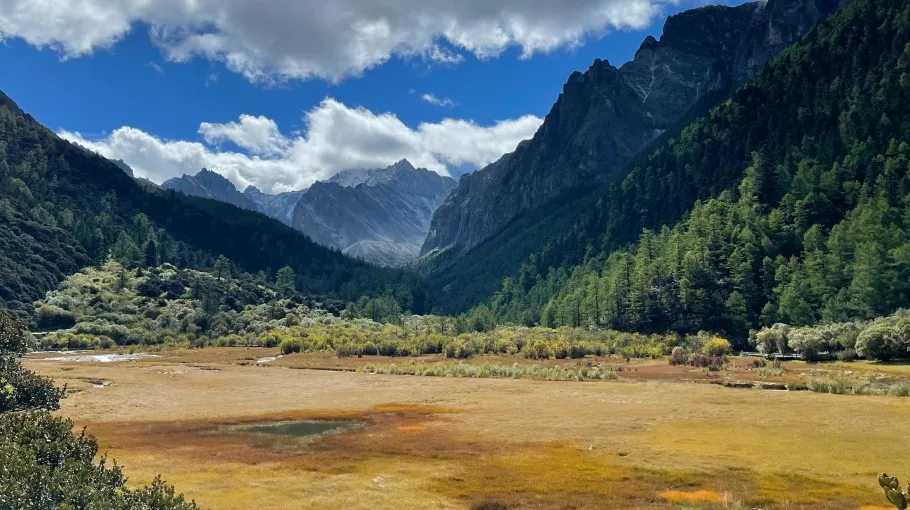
x=336, y=138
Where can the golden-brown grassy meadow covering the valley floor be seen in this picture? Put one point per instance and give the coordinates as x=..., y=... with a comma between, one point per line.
x=644, y=440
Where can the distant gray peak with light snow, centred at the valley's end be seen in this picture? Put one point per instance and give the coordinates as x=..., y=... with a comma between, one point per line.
x=381, y=215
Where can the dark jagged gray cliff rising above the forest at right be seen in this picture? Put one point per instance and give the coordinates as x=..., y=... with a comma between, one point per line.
x=606, y=115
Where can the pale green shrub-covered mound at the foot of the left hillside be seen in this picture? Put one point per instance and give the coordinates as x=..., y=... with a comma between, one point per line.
x=111, y=305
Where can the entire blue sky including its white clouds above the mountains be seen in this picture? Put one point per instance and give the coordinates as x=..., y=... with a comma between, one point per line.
x=143, y=94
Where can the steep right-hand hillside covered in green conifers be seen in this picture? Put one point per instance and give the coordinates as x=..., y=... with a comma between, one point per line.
x=790, y=201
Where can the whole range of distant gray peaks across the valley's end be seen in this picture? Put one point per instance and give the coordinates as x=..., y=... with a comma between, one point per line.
x=380, y=215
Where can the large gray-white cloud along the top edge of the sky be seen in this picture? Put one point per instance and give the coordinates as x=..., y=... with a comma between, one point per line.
x=270, y=40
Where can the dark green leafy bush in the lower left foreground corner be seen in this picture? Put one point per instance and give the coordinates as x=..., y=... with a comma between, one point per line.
x=46, y=465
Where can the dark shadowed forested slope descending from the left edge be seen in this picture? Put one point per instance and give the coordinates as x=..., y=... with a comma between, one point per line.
x=63, y=207
